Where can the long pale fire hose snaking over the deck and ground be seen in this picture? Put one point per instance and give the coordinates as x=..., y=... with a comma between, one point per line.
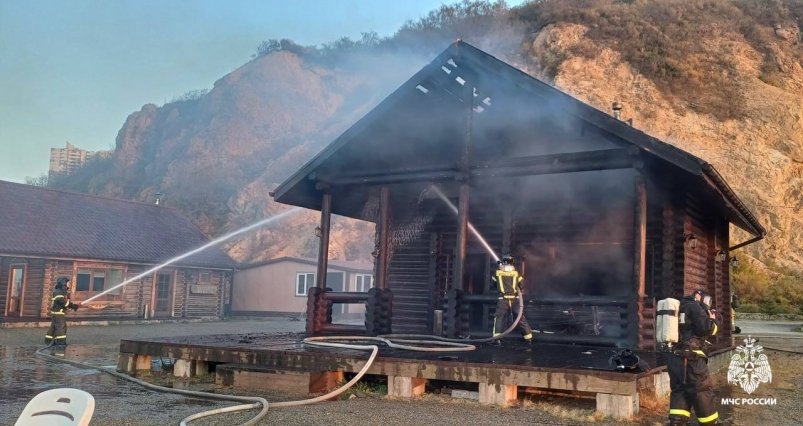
x=402, y=341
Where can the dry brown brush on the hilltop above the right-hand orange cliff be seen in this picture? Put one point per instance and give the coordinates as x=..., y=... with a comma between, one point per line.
x=677, y=43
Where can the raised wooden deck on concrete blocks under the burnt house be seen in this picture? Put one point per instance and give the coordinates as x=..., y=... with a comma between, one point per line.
x=498, y=371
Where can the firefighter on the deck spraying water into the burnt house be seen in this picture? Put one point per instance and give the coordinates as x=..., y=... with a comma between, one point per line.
x=508, y=281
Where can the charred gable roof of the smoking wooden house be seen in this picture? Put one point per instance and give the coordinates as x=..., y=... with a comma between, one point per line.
x=404, y=108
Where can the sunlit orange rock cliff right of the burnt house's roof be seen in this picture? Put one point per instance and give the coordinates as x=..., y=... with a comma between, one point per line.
x=760, y=155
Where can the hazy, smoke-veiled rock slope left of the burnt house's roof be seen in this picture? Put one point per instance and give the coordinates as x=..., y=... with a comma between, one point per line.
x=219, y=155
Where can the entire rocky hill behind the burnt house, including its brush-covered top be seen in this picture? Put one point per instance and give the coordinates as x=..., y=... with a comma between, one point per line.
x=720, y=79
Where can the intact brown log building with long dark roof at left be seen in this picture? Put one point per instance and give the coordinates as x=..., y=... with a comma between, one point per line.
x=98, y=243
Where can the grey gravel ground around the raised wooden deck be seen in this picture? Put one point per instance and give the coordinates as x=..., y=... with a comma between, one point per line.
x=23, y=375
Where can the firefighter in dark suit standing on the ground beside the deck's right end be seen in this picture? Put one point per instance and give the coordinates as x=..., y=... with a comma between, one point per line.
x=689, y=380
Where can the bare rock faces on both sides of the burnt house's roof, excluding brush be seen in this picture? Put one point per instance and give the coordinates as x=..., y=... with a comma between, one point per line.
x=216, y=156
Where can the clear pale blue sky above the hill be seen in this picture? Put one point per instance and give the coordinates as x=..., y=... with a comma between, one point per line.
x=73, y=70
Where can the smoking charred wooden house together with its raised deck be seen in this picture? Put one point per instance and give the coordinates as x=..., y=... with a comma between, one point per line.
x=466, y=161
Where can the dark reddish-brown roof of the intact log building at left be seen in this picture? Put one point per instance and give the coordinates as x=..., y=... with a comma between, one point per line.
x=45, y=222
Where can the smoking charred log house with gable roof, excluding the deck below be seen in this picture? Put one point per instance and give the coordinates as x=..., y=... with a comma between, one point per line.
x=604, y=218
